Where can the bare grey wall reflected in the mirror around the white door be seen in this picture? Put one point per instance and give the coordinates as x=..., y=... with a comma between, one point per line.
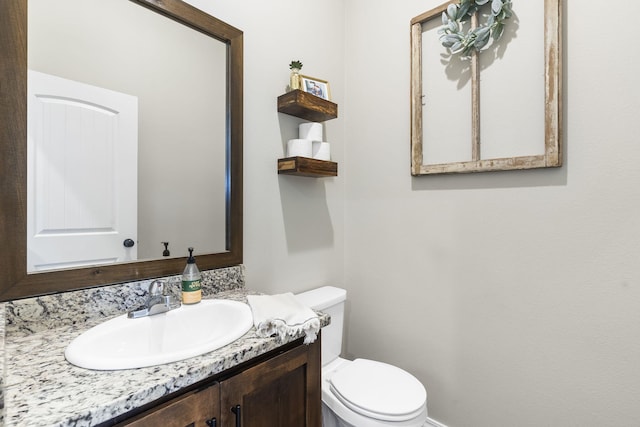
x=179, y=78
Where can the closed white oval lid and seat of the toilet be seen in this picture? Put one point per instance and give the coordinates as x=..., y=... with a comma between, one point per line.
x=378, y=390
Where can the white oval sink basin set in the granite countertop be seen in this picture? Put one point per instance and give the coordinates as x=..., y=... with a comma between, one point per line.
x=188, y=331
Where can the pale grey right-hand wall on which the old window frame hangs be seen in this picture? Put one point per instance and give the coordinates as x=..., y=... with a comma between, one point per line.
x=514, y=296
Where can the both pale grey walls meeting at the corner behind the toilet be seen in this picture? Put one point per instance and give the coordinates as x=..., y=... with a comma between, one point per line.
x=513, y=296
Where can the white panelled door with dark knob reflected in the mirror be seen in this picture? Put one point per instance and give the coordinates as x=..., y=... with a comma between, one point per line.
x=82, y=174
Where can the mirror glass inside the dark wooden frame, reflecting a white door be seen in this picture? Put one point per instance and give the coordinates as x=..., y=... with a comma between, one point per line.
x=120, y=128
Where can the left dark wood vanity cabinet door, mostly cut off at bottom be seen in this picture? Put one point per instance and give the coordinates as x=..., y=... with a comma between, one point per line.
x=196, y=409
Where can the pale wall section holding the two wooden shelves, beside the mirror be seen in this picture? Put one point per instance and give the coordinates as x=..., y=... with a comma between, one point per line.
x=293, y=226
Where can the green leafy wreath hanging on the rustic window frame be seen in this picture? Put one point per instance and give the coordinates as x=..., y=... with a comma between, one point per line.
x=451, y=33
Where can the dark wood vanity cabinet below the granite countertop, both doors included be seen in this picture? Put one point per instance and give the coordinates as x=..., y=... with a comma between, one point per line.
x=283, y=390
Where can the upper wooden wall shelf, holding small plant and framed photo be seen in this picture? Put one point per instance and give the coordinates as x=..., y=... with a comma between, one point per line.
x=306, y=106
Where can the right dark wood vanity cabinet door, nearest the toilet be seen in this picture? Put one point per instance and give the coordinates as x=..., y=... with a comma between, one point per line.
x=281, y=392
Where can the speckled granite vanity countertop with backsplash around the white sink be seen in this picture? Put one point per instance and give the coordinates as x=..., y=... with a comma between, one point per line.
x=43, y=389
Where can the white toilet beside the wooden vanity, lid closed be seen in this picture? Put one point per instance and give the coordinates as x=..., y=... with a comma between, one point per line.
x=361, y=393
